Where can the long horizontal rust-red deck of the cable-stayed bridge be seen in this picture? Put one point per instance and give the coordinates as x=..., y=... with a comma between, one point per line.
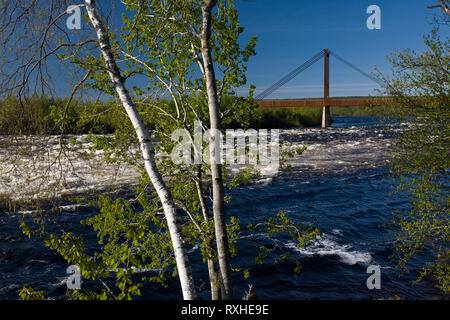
x=320, y=103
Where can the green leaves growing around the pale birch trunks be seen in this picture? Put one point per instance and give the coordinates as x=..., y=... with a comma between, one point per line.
x=157, y=42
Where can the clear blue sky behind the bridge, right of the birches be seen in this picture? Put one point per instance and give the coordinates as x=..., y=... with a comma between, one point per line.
x=291, y=31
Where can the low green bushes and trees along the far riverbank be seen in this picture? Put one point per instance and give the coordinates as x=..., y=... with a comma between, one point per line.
x=46, y=116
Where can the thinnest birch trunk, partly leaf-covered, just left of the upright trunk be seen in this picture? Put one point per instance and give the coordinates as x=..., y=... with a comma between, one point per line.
x=213, y=273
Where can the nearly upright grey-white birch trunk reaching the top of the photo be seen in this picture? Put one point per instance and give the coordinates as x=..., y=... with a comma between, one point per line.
x=216, y=166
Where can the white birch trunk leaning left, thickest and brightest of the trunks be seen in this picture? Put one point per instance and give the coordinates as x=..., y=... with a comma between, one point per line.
x=148, y=153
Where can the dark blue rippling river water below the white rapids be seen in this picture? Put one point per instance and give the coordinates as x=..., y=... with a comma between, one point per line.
x=341, y=185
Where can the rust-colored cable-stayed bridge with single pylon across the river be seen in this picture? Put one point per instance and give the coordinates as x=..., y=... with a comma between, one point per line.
x=326, y=102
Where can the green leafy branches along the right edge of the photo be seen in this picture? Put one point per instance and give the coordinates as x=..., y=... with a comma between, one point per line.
x=420, y=156
